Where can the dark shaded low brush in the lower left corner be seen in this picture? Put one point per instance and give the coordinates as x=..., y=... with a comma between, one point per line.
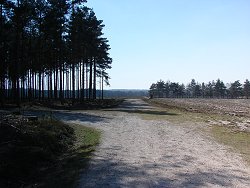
x=27, y=148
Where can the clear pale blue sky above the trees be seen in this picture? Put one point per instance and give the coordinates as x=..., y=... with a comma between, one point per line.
x=175, y=40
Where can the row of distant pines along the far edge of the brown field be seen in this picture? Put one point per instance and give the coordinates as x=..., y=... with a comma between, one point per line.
x=212, y=89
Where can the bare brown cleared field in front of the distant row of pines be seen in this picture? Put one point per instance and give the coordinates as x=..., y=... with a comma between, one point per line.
x=228, y=112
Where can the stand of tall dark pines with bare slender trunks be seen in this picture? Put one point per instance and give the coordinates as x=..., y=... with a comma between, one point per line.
x=52, y=46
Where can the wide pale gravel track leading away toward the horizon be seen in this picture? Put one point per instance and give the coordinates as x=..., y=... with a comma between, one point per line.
x=142, y=153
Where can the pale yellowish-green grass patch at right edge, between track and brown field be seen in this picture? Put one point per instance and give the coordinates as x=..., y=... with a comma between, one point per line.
x=239, y=141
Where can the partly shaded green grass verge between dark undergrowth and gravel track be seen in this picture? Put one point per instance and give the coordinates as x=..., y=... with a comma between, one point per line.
x=73, y=163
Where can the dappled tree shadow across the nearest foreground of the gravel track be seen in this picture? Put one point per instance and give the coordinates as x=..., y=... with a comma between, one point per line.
x=109, y=172
